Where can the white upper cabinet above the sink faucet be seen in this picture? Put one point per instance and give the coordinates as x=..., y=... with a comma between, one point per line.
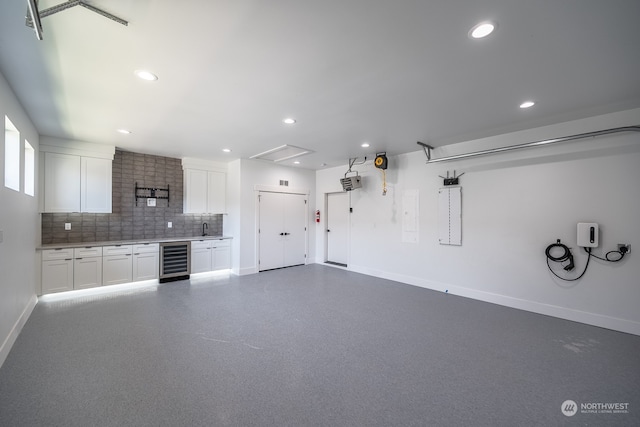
x=205, y=186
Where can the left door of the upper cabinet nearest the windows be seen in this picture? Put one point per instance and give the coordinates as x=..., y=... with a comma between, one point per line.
x=61, y=183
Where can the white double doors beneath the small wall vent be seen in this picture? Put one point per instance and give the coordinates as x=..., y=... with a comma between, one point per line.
x=282, y=230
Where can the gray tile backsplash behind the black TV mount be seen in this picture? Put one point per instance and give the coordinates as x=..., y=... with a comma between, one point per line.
x=128, y=221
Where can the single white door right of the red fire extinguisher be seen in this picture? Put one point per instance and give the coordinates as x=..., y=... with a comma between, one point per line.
x=337, y=227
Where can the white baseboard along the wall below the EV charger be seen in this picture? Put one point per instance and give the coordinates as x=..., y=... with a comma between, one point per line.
x=594, y=319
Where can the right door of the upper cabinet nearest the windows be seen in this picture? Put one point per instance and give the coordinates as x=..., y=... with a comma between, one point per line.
x=95, y=185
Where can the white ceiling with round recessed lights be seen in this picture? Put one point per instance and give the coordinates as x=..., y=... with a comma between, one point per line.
x=351, y=71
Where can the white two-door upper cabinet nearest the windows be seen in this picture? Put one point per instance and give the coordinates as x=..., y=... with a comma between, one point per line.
x=76, y=179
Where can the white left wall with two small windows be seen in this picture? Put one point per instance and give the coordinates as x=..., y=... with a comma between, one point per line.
x=19, y=221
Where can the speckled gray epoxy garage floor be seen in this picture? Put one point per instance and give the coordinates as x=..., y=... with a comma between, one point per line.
x=306, y=346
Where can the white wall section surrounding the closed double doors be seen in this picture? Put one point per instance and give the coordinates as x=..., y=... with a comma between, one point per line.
x=257, y=174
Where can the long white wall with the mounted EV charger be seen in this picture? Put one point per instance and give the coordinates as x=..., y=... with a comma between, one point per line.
x=514, y=205
